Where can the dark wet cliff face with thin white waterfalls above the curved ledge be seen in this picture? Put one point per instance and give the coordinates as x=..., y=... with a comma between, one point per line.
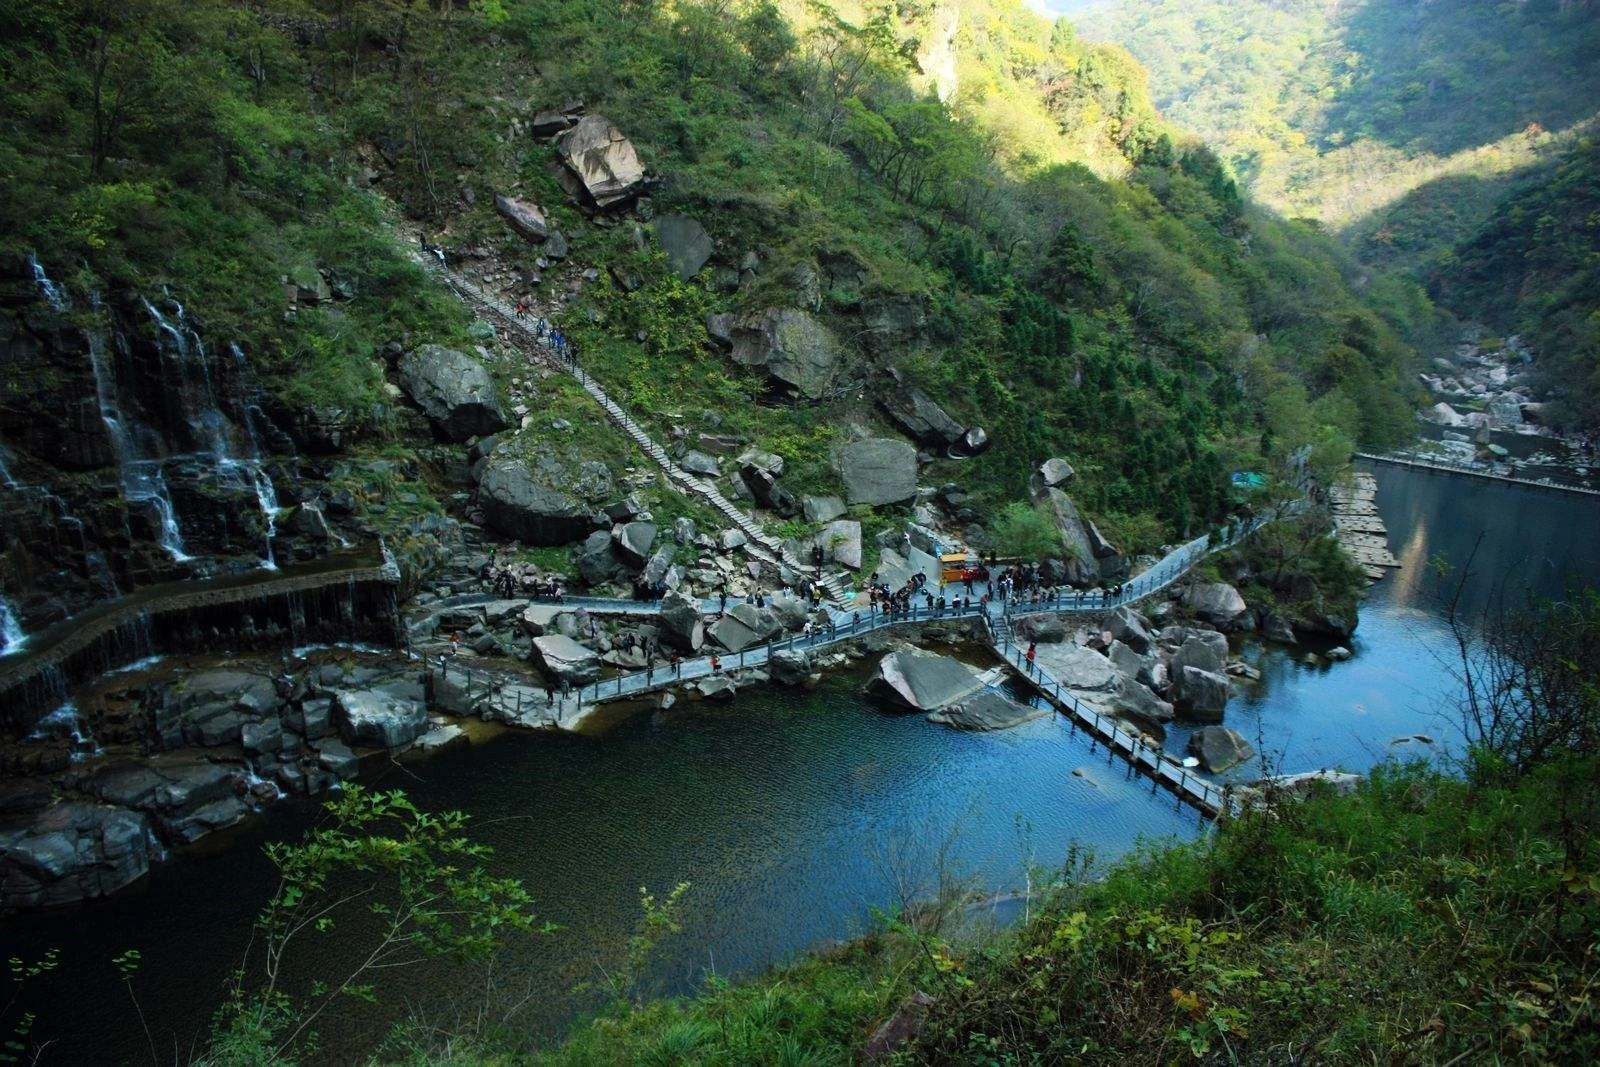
x=134, y=450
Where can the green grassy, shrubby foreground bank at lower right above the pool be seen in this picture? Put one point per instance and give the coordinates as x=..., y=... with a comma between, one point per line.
x=1422, y=919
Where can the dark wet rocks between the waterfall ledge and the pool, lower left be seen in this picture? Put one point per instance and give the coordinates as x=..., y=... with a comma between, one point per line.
x=202, y=751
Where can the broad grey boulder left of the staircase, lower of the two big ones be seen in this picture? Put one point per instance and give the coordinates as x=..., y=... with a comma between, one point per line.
x=543, y=502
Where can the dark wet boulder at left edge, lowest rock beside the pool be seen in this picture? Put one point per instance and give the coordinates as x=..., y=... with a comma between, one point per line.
x=73, y=852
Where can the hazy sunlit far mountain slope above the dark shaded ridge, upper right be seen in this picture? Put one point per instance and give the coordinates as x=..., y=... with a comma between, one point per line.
x=1340, y=111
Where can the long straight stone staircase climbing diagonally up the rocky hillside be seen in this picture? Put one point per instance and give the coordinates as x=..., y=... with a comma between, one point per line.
x=761, y=545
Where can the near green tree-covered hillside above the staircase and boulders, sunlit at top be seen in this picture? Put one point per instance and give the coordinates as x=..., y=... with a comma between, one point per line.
x=1039, y=252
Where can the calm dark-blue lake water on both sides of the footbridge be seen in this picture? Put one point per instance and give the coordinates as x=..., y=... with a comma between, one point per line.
x=794, y=815
